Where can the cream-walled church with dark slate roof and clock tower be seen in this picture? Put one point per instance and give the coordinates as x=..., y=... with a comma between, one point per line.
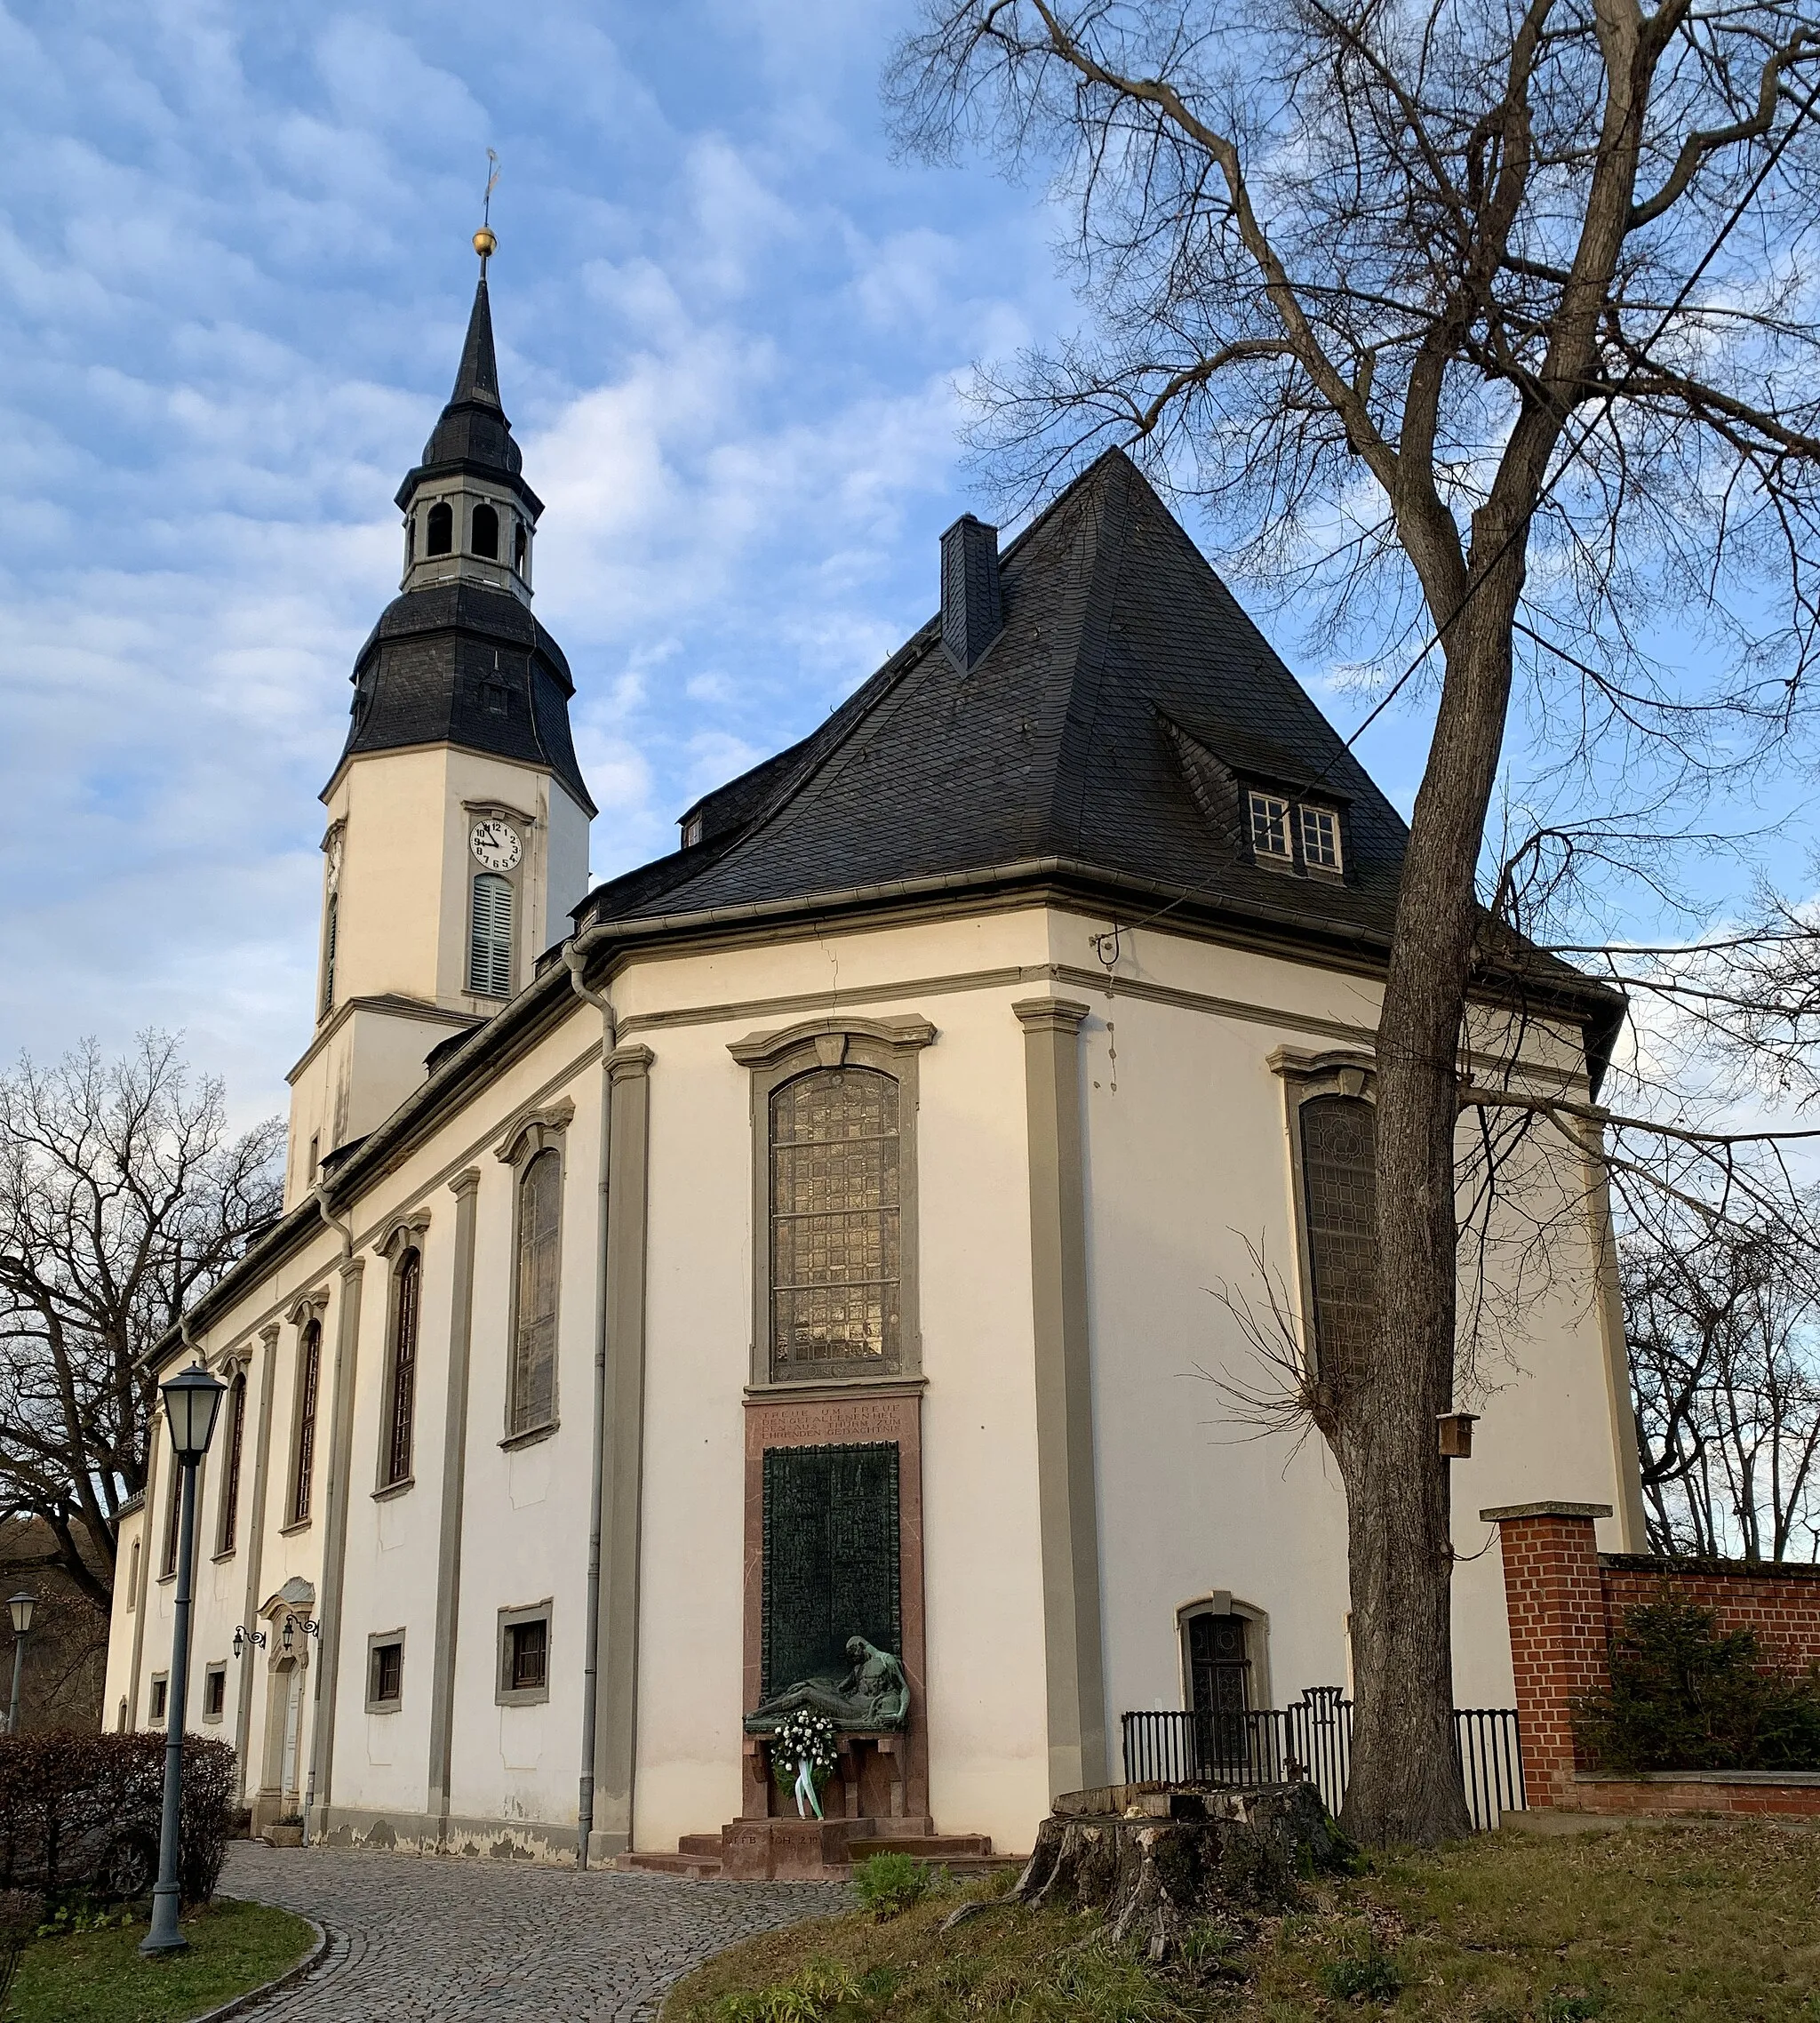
x=806, y=1269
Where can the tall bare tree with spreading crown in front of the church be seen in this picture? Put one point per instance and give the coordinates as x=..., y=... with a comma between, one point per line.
x=1487, y=323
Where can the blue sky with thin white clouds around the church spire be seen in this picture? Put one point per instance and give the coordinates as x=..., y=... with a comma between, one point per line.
x=236, y=272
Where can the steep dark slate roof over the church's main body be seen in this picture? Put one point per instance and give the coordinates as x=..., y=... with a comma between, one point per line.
x=1105, y=735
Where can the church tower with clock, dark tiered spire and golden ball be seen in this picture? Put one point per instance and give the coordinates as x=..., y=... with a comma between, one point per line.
x=458, y=837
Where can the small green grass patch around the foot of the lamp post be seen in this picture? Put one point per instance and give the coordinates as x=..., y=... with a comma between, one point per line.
x=98, y=1977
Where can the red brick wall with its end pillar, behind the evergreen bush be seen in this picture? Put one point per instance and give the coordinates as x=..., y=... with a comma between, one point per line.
x=1566, y=1599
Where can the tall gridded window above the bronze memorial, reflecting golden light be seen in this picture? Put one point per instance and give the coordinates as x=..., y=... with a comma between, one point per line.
x=834, y=1223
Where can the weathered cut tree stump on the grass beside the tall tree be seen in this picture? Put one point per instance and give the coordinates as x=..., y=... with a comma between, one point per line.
x=1160, y=1862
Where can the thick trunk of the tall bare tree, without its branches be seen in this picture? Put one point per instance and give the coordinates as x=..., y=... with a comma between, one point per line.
x=1404, y=1775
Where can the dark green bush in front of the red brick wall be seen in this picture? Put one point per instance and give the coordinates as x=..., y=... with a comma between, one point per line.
x=1690, y=1696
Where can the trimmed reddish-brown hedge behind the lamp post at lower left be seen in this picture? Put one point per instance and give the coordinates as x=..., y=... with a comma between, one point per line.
x=80, y=1816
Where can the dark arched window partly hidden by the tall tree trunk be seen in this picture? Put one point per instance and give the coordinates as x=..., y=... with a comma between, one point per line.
x=1340, y=1138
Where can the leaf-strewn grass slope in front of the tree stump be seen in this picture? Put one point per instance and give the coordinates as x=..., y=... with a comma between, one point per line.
x=1673, y=1925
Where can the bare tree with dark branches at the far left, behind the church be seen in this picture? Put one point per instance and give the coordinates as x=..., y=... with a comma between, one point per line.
x=122, y=1199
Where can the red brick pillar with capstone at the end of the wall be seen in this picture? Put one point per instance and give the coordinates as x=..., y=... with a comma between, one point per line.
x=1558, y=1634
